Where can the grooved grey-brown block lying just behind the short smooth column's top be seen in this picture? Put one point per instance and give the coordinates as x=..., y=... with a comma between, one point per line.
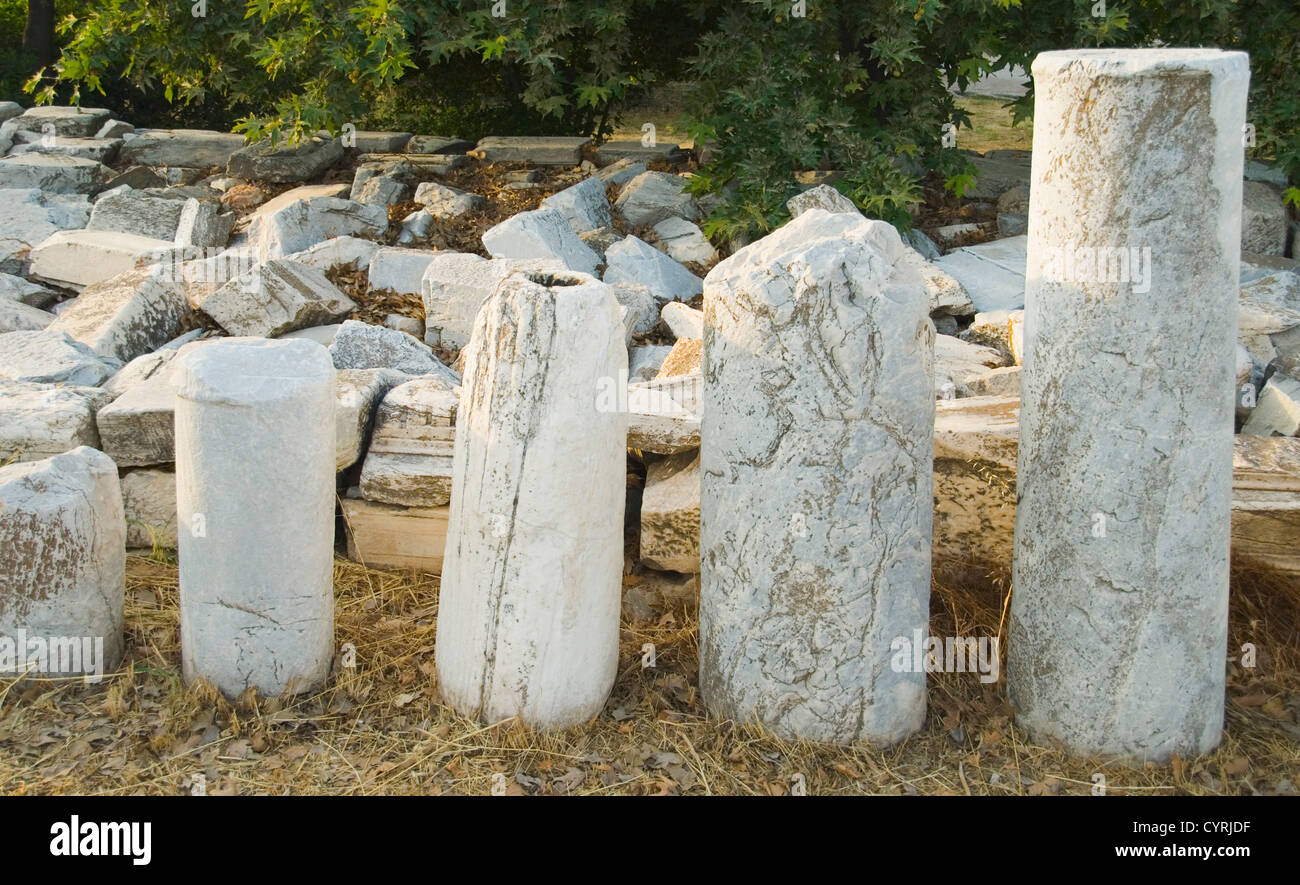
x=275, y=298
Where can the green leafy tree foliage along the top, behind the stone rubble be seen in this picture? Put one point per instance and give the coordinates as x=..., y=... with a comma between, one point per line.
x=781, y=86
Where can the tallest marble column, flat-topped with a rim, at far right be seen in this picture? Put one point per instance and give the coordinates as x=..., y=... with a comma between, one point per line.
x=1119, y=626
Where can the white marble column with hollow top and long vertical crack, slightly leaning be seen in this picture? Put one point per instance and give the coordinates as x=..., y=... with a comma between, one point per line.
x=528, y=614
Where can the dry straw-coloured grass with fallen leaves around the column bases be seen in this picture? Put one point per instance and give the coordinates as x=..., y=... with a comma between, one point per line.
x=382, y=727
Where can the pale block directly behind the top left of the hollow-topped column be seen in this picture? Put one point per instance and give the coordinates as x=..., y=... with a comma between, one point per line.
x=456, y=287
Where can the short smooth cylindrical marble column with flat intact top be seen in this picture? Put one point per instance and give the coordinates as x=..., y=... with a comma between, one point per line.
x=255, y=514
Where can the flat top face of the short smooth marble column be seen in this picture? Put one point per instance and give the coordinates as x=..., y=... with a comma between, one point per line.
x=248, y=371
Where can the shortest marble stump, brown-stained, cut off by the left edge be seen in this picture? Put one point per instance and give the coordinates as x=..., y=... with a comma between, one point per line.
x=63, y=562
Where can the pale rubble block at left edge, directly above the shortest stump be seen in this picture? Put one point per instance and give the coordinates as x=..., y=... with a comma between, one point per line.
x=38, y=420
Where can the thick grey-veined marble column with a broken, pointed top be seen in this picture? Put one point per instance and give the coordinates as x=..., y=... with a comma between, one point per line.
x=817, y=481
